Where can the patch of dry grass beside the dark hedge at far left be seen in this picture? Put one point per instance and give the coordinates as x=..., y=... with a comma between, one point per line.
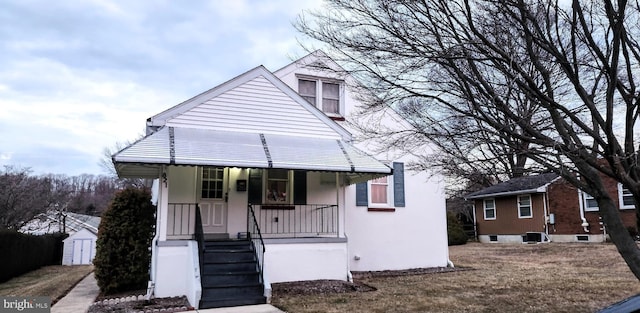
x=51, y=281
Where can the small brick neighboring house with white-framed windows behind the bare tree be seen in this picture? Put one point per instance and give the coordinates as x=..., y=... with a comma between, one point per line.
x=545, y=207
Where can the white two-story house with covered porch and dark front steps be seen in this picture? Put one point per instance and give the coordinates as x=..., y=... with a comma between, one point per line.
x=262, y=173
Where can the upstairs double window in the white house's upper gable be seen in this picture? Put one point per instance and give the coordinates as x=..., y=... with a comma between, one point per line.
x=323, y=94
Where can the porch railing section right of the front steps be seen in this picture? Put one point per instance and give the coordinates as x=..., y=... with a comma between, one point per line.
x=293, y=221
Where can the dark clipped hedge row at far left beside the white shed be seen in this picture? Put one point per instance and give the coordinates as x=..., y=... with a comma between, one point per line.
x=22, y=253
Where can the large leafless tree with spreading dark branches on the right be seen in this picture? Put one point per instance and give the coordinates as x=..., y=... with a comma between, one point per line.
x=464, y=68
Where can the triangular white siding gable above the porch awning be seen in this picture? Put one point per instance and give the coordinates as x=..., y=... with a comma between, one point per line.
x=256, y=106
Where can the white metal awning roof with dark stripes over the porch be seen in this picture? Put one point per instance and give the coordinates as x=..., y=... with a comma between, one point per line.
x=207, y=147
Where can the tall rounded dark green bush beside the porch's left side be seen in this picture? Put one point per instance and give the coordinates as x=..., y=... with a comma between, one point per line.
x=124, y=240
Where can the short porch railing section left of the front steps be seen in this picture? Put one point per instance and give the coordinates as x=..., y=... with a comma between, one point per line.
x=181, y=222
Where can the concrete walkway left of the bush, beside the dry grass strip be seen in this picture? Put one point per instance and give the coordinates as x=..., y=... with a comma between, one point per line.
x=80, y=298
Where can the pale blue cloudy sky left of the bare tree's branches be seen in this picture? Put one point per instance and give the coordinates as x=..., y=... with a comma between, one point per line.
x=79, y=76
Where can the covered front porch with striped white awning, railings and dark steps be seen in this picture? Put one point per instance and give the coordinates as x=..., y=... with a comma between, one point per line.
x=283, y=194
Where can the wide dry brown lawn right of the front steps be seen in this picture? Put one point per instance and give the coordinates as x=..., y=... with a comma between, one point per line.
x=503, y=278
